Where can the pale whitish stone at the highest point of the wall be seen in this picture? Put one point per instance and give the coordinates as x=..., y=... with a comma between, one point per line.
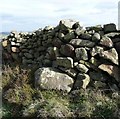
x=66, y=24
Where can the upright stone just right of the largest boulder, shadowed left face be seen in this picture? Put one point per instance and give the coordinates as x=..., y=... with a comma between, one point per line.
x=82, y=81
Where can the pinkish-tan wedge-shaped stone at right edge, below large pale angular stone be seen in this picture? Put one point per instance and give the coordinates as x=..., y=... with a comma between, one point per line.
x=112, y=70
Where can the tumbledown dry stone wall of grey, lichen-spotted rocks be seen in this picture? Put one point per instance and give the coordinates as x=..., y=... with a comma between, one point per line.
x=86, y=55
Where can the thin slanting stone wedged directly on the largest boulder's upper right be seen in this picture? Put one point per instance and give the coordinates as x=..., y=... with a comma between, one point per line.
x=70, y=71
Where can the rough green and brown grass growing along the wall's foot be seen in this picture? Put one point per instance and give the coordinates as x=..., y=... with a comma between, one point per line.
x=21, y=99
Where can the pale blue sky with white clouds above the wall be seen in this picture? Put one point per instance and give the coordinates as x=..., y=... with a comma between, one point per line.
x=30, y=15
